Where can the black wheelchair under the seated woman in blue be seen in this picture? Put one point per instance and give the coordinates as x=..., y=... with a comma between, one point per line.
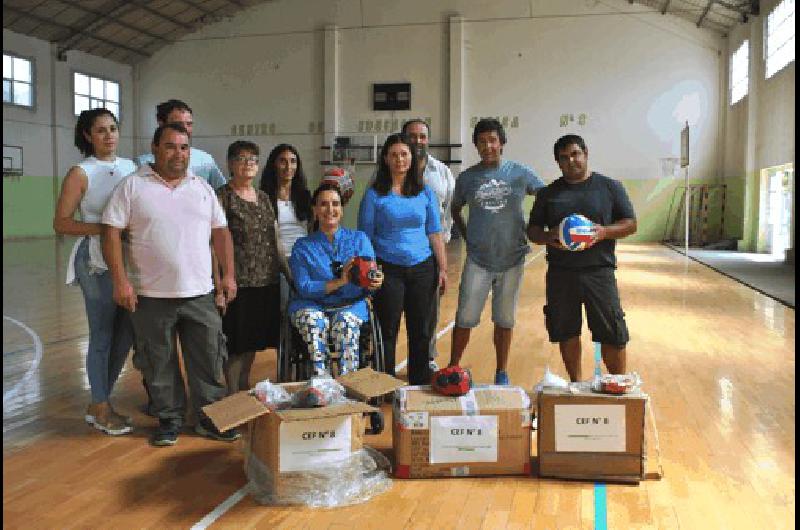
x=294, y=361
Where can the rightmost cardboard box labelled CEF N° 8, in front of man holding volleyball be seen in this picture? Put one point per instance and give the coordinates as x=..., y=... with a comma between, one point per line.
x=586, y=435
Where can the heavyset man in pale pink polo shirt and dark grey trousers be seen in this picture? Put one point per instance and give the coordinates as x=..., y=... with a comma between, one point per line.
x=171, y=215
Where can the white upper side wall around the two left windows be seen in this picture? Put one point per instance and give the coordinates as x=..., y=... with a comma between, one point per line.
x=33, y=129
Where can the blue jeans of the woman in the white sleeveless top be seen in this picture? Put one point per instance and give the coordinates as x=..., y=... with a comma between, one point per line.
x=110, y=330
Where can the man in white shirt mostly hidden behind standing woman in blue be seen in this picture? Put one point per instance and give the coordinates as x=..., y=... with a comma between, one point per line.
x=439, y=177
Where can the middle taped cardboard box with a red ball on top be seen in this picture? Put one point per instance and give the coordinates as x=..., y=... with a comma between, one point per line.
x=486, y=432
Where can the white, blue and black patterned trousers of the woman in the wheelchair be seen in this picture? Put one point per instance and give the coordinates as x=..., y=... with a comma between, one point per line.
x=343, y=327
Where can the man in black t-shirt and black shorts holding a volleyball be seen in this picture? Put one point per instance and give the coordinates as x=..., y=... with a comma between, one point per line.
x=584, y=275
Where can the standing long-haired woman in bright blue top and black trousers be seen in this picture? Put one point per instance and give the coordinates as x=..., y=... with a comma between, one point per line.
x=401, y=217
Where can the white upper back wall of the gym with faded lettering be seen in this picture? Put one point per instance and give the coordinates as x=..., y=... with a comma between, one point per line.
x=533, y=60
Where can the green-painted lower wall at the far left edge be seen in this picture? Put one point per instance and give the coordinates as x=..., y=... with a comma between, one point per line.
x=28, y=207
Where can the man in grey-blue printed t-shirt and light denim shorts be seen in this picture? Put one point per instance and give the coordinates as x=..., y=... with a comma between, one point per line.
x=496, y=244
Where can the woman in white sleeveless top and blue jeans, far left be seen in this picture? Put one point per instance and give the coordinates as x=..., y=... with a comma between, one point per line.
x=87, y=188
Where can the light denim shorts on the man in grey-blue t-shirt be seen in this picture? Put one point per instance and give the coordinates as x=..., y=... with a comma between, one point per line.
x=475, y=285
